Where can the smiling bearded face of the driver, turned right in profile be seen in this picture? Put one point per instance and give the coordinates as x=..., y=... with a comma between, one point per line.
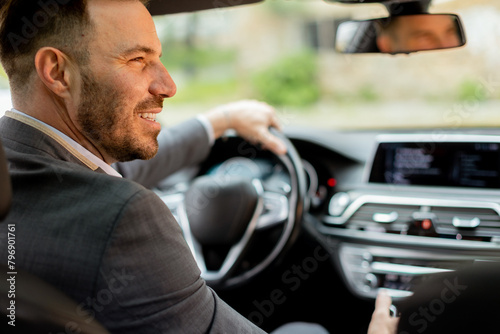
x=123, y=87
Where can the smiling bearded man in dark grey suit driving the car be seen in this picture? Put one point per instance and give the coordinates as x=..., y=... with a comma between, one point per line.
x=87, y=84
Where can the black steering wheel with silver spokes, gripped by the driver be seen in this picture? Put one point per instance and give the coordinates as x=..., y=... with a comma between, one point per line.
x=237, y=223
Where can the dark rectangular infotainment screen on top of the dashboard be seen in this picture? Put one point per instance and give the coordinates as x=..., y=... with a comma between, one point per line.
x=450, y=164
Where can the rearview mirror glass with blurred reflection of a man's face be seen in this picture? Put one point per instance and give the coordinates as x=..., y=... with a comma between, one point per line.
x=401, y=34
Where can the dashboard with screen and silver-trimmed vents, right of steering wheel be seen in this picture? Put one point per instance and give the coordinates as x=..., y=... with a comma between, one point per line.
x=406, y=206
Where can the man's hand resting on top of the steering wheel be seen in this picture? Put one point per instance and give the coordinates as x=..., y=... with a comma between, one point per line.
x=251, y=120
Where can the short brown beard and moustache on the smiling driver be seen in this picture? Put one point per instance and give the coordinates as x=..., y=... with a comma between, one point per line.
x=104, y=119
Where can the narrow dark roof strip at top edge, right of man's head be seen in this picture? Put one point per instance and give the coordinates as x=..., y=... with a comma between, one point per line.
x=161, y=7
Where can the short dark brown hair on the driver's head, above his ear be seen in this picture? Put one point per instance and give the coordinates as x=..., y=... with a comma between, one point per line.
x=28, y=25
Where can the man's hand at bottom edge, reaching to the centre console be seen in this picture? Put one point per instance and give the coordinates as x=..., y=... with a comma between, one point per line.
x=382, y=322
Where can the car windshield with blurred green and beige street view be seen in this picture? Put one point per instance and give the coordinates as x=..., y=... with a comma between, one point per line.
x=283, y=52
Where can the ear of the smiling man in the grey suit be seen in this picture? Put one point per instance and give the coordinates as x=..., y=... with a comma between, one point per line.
x=54, y=69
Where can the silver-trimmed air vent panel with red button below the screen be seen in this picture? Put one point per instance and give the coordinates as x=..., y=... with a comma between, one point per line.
x=436, y=217
